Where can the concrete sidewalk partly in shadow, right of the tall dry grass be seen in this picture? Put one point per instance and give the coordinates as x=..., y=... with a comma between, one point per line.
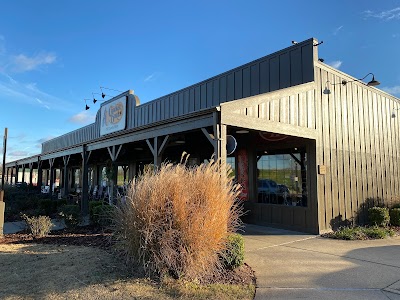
x=292, y=265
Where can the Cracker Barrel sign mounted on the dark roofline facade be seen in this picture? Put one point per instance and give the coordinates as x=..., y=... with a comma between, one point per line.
x=113, y=116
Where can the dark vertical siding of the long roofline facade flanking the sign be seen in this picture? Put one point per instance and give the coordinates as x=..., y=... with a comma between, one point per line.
x=288, y=67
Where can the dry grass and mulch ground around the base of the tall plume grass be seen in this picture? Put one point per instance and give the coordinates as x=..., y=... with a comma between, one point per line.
x=83, y=265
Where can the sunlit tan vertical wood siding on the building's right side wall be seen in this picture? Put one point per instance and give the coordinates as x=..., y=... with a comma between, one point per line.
x=358, y=142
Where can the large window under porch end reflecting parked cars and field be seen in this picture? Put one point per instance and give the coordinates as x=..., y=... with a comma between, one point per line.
x=282, y=177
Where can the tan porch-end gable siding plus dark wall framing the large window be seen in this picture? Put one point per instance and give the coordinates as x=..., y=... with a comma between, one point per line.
x=290, y=111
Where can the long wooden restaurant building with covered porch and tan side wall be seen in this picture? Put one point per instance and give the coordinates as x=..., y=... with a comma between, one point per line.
x=314, y=145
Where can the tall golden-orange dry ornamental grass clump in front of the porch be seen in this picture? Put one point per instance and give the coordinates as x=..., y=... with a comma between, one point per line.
x=177, y=219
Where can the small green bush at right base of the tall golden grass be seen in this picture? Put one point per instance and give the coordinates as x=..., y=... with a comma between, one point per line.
x=233, y=256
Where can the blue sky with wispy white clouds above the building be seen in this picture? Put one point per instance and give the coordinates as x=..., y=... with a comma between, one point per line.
x=55, y=54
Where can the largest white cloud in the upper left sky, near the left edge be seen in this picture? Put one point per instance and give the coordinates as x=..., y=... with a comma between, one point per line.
x=23, y=63
